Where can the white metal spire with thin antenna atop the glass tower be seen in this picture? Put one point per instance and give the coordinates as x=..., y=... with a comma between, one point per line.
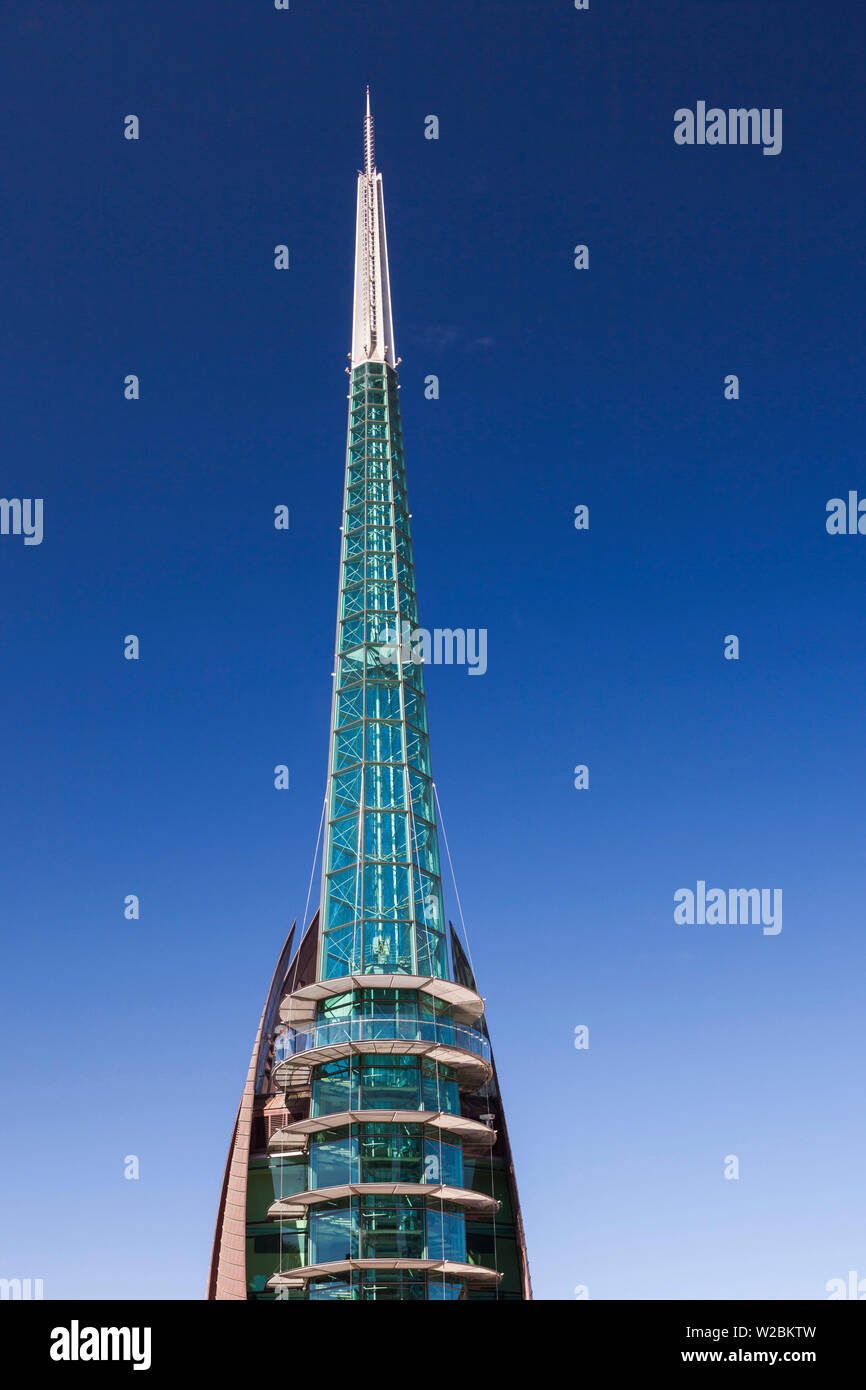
x=372, y=323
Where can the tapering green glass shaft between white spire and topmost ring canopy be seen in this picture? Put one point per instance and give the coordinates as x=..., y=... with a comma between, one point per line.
x=382, y=889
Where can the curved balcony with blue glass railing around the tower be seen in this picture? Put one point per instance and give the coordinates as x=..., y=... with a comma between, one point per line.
x=462, y=1049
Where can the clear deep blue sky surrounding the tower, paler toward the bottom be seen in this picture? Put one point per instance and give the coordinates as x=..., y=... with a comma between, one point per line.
x=605, y=648
